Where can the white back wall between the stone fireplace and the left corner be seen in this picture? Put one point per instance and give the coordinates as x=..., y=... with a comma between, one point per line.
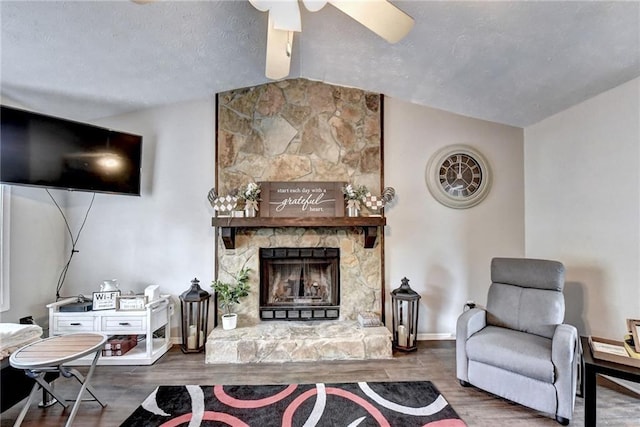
x=165, y=236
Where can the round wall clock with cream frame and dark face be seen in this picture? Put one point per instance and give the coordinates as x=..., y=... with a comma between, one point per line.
x=458, y=176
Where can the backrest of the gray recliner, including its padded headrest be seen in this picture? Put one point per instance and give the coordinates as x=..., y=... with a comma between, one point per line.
x=526, y=295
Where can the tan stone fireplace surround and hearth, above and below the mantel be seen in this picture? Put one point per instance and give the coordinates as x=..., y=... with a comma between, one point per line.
x=297, y=130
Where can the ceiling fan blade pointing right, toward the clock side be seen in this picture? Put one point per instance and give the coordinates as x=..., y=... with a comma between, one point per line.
x=379, y=16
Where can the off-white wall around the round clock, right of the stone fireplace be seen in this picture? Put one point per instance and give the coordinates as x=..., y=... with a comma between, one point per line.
x=445, y=253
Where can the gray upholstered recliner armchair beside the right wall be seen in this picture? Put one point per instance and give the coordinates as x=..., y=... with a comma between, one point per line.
x=518, y=348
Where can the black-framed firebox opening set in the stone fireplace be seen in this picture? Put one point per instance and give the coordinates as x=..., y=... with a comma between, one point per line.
x=299, y=283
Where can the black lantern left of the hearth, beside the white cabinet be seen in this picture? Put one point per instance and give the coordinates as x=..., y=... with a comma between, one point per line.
x=195, y=314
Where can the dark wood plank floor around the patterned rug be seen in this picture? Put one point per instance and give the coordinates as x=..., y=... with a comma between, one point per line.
x=125, y=387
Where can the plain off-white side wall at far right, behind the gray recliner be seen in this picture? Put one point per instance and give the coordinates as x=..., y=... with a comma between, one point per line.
x=583, y=206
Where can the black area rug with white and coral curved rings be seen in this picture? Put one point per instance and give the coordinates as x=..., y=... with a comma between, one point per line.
x=405, y=404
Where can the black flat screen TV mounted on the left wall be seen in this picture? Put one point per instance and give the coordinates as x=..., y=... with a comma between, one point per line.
x=45, y=151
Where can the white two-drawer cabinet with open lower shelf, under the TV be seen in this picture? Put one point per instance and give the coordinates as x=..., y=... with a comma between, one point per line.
x=153, y=323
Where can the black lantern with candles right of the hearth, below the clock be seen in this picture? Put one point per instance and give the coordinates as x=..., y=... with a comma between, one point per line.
x=404, y=301
